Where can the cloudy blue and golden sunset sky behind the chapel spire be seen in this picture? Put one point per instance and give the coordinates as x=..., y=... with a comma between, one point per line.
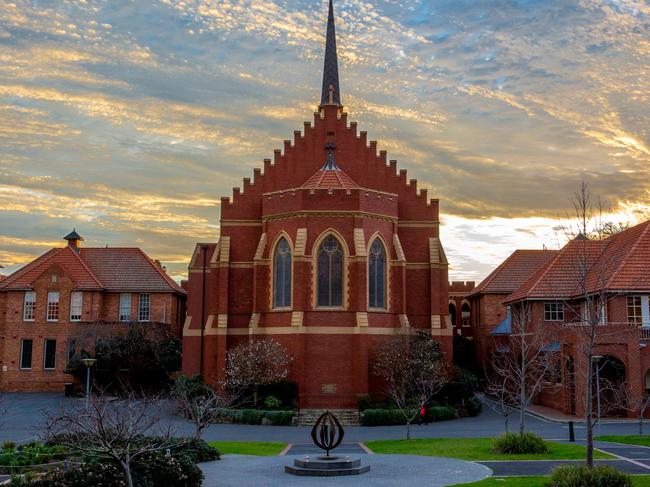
x=129, y=119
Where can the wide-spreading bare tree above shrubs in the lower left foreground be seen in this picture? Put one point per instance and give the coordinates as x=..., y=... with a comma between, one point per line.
x=111, y=429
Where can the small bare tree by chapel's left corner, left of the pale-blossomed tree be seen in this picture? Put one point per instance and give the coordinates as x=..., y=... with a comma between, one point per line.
x=202, y=404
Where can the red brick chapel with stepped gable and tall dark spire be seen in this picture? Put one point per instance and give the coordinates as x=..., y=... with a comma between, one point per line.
x=328, y=250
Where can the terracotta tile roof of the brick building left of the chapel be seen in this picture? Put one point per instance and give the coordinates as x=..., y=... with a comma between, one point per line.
x=115, y=269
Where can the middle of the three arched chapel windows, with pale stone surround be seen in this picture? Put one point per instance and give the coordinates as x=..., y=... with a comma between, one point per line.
x=330, y=273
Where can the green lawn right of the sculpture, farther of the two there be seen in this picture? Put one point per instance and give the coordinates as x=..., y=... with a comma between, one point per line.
x=474, y=449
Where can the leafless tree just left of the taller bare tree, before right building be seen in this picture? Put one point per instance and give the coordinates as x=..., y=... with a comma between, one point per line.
x=527, y=366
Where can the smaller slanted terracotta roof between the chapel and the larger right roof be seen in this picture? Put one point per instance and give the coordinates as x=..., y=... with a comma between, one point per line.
x=513, y=271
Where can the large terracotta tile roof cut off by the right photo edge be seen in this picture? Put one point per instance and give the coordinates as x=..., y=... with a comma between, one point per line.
x=618, y=263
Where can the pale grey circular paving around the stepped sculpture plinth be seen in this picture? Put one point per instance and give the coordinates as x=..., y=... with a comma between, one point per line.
x=386, y=470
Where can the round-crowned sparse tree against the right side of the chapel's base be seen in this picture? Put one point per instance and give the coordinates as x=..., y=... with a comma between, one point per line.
x=413, y=370
